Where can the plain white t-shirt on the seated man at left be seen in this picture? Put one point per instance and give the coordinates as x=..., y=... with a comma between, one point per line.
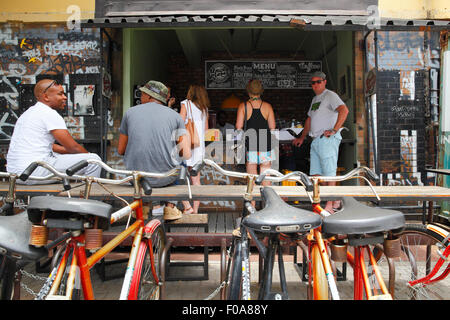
x=32, y=139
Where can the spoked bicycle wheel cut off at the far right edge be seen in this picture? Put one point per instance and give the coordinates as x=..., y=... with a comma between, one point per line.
x=419, y=256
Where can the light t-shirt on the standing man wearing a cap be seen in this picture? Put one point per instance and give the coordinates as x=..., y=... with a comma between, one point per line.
x=323, y=112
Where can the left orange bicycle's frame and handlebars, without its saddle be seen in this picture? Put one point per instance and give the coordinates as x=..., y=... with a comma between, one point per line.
x=76, y=243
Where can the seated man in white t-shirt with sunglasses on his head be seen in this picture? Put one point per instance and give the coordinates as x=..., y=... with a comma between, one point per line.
x=35, y=134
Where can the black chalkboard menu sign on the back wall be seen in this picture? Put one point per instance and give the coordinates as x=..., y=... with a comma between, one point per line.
x=273, y=74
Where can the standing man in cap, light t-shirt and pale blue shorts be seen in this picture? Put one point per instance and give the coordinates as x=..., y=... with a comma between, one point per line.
x=326, y=116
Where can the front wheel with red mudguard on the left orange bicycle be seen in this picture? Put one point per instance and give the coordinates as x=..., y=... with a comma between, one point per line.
x=146, y=275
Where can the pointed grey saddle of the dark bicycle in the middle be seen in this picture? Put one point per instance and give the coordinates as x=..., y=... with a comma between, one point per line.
x=277, y=216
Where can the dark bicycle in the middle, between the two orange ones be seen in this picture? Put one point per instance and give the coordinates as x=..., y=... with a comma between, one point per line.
x=274, y=219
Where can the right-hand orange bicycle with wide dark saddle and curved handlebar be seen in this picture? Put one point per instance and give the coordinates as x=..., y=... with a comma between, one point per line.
x=356, y=225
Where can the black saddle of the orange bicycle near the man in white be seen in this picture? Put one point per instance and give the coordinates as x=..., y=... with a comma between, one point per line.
x=66, y=208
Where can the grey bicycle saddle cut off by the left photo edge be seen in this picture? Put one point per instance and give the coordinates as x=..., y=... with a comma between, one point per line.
x=15, y=236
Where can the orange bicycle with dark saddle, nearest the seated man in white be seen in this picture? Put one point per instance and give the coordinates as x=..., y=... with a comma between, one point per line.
x=84, y=220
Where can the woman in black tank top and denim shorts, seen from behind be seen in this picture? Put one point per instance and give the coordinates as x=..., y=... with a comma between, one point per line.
x=260, y=120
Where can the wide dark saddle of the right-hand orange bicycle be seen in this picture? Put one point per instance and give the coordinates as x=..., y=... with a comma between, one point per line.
x=357, y=218
